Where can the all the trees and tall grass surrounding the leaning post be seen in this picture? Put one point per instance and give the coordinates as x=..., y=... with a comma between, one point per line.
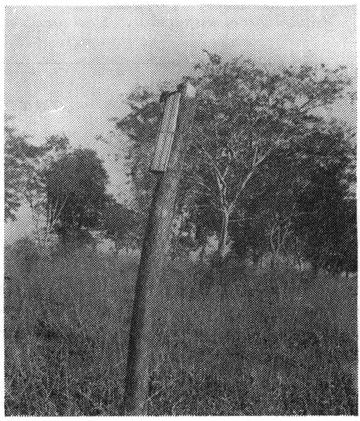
x=256, y=313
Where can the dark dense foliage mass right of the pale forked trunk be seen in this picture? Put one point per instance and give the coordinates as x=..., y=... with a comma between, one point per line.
x=278, y=205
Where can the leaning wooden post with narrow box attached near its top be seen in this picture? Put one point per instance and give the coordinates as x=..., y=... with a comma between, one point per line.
x=168, y=166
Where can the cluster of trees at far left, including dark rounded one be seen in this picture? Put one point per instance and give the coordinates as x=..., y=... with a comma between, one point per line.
x=65, y=189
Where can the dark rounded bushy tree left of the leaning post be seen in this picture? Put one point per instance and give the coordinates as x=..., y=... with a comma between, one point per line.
x=76, y=191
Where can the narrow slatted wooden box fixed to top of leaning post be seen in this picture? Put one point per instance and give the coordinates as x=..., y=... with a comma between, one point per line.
x=166, y=133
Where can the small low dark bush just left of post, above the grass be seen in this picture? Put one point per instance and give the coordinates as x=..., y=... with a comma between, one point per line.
x=121, y=225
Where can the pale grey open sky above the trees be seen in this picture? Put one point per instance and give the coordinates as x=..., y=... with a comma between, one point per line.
x=69, y=69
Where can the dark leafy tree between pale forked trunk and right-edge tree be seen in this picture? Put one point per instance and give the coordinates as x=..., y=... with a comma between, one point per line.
x=264, y=223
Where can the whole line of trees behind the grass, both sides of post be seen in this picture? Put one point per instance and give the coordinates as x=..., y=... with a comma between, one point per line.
x=267, y=174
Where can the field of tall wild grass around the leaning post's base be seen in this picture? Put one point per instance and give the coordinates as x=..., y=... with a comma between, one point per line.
x=272, y=343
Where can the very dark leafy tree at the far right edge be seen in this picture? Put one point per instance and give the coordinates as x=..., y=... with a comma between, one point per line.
x=325, y=213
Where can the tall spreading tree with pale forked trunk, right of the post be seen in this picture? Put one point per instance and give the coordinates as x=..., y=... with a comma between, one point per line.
x=247, y=114
